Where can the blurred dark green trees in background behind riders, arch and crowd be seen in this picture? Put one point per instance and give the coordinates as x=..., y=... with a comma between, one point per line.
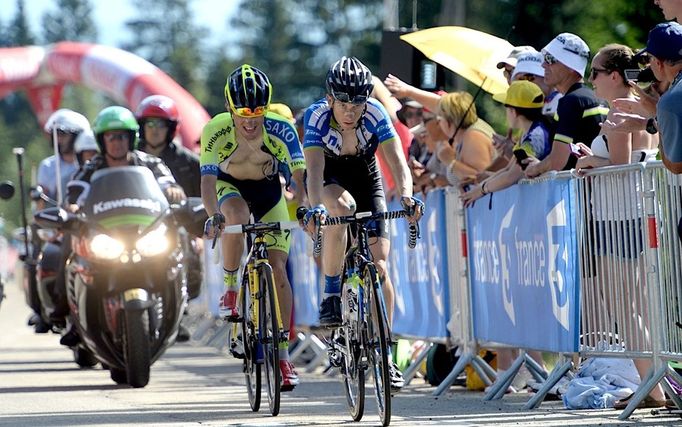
x=293, y=41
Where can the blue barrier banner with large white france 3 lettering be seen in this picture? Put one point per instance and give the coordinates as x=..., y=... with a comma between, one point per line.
x=523, y=261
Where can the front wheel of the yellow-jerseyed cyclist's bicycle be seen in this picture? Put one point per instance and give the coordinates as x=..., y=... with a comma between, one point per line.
x=269, y=334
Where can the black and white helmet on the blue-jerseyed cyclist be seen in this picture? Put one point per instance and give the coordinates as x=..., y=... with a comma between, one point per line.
x=348, y=80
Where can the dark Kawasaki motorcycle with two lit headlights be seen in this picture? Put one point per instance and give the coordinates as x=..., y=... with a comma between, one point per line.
x=126, y=278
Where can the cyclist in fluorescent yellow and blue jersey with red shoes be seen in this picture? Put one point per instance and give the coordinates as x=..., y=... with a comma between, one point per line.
x=242, y=152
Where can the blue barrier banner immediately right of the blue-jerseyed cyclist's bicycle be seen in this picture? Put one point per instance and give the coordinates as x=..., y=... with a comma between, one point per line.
x=420, y=275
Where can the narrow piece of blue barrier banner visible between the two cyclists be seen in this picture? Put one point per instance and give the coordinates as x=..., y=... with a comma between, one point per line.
x=305, y=279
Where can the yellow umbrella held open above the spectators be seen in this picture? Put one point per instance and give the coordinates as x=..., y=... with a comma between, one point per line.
x=470, y=53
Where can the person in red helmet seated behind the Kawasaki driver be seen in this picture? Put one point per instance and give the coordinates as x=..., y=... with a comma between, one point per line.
x=158, y=118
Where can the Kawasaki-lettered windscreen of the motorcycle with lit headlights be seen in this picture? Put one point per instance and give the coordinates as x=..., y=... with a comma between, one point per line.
x=121, y=196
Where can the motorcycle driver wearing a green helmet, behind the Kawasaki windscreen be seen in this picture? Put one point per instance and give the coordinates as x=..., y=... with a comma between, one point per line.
x=115, y=131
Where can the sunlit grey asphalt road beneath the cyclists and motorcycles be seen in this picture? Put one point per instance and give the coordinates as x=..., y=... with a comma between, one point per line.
x=193, y=385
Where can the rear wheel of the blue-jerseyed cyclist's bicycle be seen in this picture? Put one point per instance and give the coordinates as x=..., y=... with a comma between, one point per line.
x=353, y=368
